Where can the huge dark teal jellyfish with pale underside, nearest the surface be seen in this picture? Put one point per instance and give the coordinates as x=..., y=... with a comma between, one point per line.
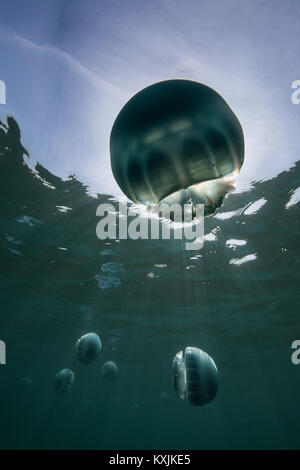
x=177, y=141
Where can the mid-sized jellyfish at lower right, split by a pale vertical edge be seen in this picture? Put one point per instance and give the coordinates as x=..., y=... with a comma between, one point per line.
x=195, y=376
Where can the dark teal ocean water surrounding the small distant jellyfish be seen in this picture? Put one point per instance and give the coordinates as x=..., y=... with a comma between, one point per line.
x=237, y=298
